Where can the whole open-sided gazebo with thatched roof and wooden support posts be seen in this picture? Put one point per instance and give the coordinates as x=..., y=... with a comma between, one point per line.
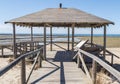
x=60, y=17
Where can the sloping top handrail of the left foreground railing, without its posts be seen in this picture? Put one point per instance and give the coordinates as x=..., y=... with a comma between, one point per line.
x=17, y=60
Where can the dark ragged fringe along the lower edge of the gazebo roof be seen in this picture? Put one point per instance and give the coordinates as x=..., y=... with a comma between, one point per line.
x=62, y=24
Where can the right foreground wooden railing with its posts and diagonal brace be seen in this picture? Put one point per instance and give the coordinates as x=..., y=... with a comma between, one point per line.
x=96, y=60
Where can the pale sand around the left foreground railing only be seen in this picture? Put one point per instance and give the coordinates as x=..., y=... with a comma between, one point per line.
x=13, y=75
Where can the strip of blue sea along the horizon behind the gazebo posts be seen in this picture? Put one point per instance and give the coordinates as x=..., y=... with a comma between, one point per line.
x=7, y=38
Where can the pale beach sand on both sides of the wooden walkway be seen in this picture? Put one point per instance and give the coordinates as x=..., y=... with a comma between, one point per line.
x=13, y=76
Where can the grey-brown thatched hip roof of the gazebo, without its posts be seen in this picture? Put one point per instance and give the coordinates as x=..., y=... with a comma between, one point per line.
x=61, y=17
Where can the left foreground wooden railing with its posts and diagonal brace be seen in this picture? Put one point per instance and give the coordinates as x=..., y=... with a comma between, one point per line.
x=21, y=58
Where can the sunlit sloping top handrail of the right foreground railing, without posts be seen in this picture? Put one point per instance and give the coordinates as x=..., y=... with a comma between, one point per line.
x=110, y=69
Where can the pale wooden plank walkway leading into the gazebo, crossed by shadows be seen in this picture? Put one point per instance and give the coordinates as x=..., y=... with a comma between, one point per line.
x=59, y=69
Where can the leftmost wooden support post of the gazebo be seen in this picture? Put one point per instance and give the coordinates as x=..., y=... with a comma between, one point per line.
x=14, y=42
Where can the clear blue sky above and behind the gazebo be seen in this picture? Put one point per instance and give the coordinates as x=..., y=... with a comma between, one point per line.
x=108, y=9
